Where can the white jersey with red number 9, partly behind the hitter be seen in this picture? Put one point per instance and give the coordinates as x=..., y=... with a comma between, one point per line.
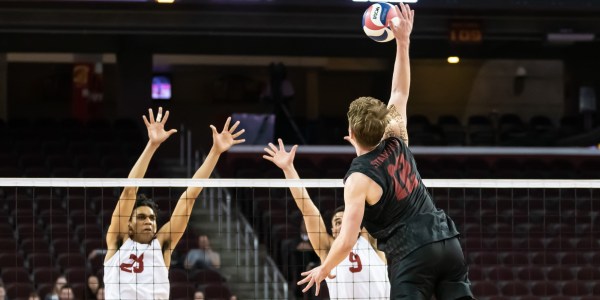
x=361, y=275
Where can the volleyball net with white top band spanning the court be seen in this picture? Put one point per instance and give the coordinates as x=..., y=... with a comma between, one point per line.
x=521, y=238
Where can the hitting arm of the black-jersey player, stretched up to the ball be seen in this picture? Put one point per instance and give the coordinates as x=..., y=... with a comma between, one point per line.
x=402, y=27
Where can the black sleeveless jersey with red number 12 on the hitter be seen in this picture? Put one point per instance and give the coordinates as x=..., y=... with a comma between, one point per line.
x=405, y=218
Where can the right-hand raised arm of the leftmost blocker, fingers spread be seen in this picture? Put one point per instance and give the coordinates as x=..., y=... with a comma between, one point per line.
x=170, y=234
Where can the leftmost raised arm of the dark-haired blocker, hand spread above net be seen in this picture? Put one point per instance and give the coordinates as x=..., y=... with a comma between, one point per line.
x=118, y=229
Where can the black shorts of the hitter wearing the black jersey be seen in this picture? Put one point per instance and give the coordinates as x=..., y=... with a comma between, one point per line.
x=436, y=269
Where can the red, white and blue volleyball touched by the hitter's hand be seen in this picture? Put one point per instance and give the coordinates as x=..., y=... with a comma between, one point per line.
x=376, y=22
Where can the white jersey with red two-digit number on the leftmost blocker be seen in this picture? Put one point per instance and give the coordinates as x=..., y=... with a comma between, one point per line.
x=136, y=271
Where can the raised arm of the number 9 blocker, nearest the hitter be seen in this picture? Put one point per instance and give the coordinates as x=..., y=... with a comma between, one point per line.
x=315, y=226
